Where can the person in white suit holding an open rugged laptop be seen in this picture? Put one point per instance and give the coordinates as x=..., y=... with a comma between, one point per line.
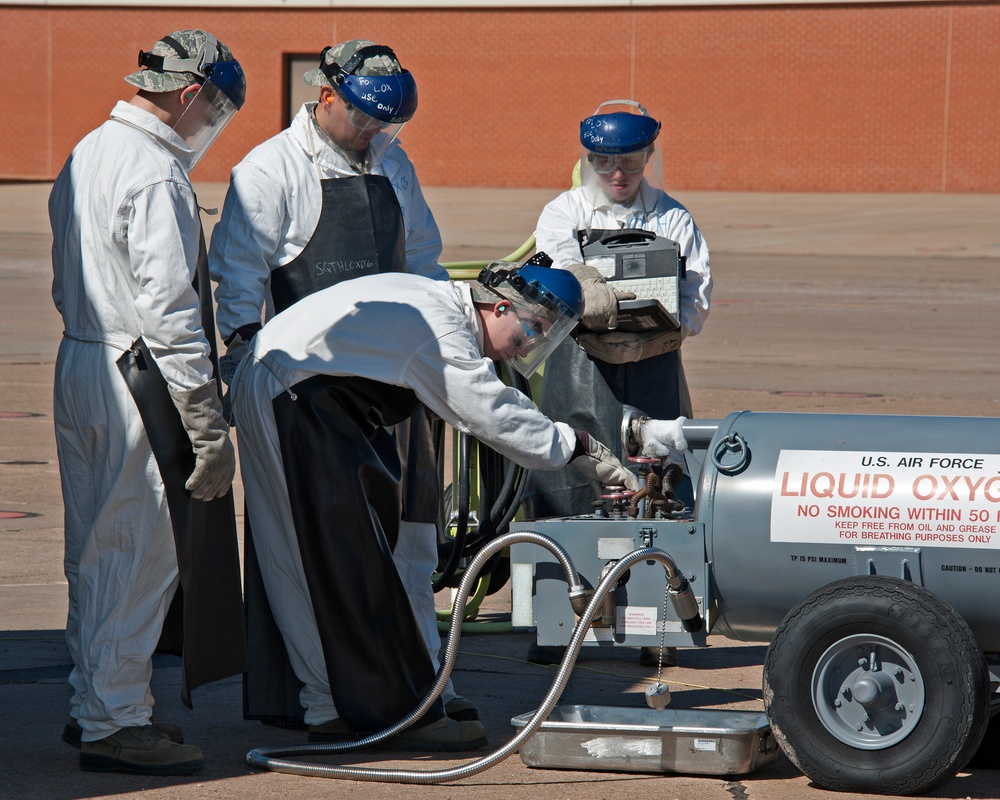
x=590, y=379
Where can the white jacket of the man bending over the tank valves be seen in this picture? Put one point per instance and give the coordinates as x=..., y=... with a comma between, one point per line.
x=412, y=332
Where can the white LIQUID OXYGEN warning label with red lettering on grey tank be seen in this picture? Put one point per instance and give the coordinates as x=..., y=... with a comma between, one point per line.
x=916, y=499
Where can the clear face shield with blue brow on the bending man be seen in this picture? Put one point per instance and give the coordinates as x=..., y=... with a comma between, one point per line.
x=545, y=305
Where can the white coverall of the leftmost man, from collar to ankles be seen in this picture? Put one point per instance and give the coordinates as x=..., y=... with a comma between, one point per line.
x=126, y=235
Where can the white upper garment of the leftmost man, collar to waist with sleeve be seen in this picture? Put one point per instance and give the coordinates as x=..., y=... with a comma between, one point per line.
x=125, y=243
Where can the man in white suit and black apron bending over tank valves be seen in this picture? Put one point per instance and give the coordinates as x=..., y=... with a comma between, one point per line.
x=311, y=403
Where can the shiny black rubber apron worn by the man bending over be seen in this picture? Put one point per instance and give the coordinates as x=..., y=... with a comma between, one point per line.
x=347, y=522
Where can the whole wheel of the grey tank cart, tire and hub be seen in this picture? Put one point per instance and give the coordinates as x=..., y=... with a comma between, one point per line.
x=876, y=685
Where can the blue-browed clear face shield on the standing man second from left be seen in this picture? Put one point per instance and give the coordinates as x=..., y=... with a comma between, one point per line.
x=377, y=106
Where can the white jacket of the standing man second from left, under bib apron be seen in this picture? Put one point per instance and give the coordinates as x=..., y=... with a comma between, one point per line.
x=272, y=208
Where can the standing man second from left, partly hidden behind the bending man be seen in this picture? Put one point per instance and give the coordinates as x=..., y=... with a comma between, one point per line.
x=331, y=198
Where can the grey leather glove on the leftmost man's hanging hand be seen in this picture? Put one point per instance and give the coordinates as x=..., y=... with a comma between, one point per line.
x=215, y=457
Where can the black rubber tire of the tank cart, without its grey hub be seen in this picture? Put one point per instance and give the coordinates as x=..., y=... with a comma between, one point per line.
x=951, y=666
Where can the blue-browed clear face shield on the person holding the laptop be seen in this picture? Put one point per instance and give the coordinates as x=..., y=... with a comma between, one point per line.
x=618, y=152
